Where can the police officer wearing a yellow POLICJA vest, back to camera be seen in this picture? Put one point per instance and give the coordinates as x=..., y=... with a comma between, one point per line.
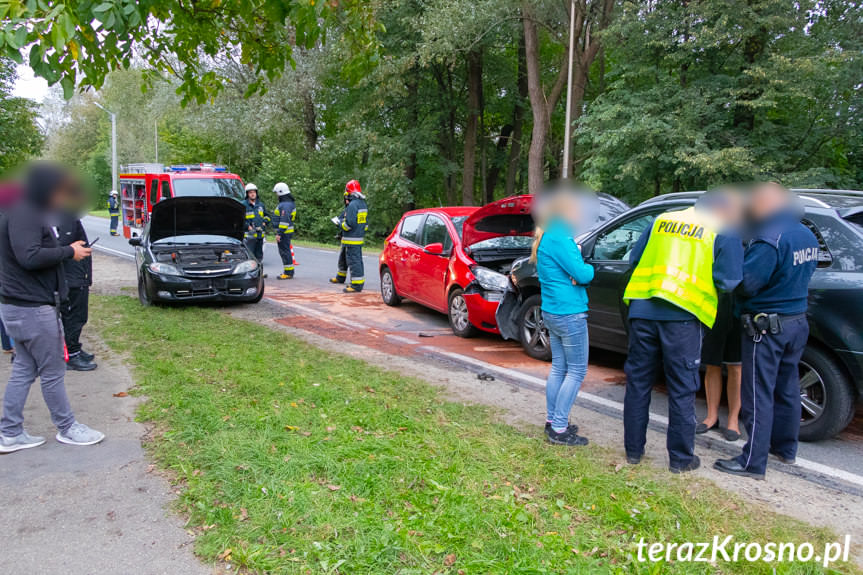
x=679, y=265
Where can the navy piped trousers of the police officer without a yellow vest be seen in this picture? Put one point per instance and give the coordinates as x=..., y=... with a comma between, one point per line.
x=770, y=393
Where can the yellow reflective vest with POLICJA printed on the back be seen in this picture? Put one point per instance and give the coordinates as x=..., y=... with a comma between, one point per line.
x=677, y=264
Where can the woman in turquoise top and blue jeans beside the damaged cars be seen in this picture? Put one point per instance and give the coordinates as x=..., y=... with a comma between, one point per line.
x=563, y=276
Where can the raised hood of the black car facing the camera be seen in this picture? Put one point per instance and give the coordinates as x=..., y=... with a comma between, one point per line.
x=194, y=215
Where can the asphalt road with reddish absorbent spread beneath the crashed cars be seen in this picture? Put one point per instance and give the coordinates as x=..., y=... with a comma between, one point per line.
x=413, y=330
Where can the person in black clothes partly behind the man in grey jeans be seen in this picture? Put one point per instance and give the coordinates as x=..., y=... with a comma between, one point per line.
x=79, y=278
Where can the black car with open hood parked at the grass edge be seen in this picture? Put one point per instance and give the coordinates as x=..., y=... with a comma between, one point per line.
x=192, y=250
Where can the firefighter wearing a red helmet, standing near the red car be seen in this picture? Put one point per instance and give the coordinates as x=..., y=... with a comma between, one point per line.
x=354, y=222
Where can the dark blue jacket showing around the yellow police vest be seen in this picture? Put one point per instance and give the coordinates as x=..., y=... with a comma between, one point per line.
x=727, y=272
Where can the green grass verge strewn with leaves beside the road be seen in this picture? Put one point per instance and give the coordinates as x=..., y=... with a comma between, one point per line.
x=291, y=459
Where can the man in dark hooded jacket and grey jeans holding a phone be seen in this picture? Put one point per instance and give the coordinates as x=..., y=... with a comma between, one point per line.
x=32, y=285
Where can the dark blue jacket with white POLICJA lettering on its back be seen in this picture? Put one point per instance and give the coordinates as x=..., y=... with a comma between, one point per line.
x=777, y=267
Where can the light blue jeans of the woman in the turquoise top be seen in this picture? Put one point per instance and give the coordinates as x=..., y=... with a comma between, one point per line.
x=569, y=352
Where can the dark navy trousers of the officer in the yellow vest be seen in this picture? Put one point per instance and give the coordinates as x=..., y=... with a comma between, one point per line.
x=673, y=347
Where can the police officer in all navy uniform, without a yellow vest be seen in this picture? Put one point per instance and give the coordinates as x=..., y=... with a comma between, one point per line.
x=778, y=264
